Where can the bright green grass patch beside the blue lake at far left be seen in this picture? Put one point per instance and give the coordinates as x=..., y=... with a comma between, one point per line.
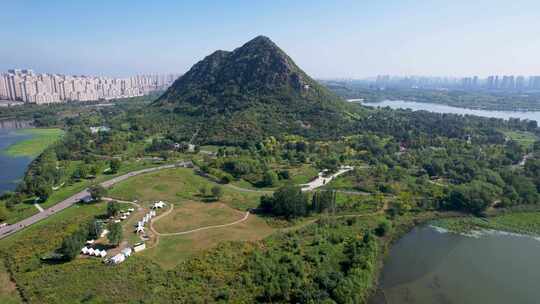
x=32, y=147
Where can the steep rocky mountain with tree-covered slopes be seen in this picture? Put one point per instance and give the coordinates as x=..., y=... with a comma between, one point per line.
x=252, y=92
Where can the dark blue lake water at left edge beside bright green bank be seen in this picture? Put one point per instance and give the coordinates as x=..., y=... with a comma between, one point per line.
x=11, y=168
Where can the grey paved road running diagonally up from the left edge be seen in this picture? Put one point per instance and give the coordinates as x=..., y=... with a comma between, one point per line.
x=9, y=230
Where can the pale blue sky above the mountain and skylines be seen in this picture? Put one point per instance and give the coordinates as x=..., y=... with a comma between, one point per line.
x=328, y=39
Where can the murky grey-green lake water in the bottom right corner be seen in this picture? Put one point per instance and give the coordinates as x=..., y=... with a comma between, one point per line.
x=430, y=267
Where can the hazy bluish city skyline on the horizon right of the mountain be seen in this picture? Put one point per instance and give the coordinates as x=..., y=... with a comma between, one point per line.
x=496, y=83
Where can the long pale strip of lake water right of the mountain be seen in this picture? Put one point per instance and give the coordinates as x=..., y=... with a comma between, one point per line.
x=439, y=108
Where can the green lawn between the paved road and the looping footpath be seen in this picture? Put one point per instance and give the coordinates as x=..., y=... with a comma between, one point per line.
x=178, y=185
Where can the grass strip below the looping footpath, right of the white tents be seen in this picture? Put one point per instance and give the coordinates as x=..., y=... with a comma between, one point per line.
x=172, y=250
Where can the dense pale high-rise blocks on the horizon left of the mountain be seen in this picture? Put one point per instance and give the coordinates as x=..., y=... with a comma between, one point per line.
x=30, y=87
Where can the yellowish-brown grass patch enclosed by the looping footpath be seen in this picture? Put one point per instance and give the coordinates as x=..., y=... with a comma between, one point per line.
x=191, y=215
